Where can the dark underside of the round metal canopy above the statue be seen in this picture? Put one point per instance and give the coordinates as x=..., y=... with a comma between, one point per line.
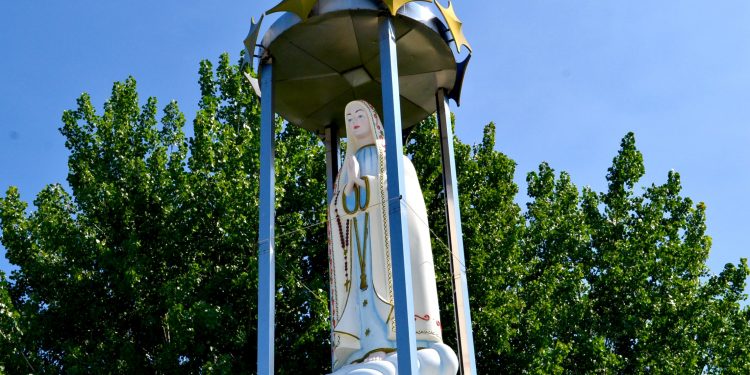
x=333, y=57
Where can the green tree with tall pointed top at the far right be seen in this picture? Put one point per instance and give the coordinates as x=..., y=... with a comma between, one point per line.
x=648, y=259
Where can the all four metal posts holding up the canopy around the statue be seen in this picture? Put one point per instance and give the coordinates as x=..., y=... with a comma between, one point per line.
x=399, y=236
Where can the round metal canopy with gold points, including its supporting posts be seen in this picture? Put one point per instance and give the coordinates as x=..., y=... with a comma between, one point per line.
x=314, y=60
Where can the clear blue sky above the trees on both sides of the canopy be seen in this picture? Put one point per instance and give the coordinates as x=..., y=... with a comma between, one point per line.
x=563, y=81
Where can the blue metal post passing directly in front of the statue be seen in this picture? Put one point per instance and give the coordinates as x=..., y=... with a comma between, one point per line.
x=402, y=281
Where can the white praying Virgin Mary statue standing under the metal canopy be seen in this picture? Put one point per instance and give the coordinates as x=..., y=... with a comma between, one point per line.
x=362, y=302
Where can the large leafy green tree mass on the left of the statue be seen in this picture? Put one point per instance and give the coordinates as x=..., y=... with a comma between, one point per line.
x=149, y=266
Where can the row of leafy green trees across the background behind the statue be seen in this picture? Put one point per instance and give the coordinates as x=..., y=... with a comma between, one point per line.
x=147, y=263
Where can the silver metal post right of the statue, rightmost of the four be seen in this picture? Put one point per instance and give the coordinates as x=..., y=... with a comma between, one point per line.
x=467, y=363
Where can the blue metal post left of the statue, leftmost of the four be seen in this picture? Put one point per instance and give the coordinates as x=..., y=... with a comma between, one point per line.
x=267, y=207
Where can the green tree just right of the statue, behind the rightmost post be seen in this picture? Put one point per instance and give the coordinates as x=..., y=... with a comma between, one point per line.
x=492, y=229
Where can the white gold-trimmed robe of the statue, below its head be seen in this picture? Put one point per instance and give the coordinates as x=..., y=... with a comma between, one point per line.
x=360, y=263
